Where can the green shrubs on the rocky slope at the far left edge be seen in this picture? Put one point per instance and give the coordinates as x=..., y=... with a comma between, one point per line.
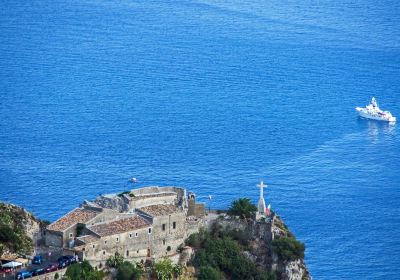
x=12, y=230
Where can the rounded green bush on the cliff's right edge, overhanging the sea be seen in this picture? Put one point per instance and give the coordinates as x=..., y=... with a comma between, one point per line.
x=288, y=248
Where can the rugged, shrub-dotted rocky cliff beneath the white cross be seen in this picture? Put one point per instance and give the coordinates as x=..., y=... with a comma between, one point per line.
x=267, y=243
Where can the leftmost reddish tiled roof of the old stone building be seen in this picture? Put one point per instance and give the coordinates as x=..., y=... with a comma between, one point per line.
x=78, y=215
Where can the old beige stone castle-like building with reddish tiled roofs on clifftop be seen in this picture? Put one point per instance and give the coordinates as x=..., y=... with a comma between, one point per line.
x=141, y=224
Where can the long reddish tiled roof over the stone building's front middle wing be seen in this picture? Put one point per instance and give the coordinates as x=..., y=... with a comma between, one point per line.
x=119, y=226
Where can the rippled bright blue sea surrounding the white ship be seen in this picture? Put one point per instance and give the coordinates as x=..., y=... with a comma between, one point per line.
x=214, y=96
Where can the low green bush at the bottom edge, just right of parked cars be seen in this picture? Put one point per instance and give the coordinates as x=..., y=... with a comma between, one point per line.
x=83, y=271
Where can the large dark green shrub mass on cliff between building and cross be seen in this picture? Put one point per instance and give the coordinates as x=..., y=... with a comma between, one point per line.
x=217, y=253
